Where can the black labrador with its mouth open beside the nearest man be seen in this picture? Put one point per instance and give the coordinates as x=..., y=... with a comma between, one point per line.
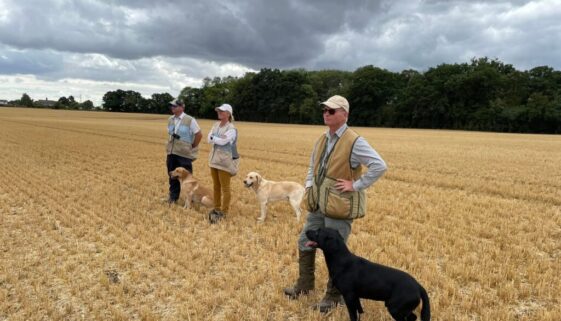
x=356, y=277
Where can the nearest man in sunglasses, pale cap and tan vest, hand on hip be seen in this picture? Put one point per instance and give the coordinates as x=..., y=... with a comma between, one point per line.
x=335, y=191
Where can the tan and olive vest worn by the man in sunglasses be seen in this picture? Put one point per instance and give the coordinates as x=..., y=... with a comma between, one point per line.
x=323, y=195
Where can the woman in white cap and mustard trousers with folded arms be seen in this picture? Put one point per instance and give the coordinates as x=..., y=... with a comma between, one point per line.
x=223, y=159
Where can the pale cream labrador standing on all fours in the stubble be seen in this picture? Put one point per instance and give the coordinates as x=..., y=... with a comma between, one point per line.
x=269, y=191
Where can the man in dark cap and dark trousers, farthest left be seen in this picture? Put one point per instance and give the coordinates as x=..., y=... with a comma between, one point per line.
x=184, y=137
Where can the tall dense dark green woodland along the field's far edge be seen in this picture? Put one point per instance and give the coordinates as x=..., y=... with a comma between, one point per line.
x=483, y=94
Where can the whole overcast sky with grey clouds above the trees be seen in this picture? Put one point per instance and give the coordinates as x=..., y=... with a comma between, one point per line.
x=54, y=48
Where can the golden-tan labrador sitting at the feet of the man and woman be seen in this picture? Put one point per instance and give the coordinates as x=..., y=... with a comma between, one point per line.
x=191, y=190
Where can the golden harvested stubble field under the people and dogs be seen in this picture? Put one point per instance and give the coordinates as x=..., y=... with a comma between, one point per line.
x=85, y=233
